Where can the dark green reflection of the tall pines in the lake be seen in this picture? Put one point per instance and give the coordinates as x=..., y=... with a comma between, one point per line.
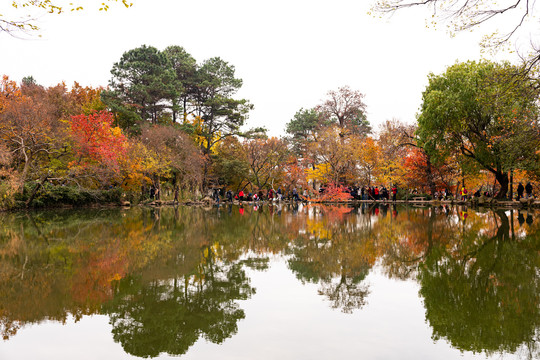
x=170, y=316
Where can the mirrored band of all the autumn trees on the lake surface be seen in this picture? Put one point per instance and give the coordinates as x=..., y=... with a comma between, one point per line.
x=167, y=277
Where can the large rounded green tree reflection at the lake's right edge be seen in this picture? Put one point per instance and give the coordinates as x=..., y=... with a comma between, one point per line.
x=482, y=294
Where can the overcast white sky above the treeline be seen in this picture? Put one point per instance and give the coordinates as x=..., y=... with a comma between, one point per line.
x=289, y=53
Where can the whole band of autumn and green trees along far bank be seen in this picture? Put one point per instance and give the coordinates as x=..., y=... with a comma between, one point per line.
x=171, y=126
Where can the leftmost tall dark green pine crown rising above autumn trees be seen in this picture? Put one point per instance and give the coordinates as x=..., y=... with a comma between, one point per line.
x=143, y=83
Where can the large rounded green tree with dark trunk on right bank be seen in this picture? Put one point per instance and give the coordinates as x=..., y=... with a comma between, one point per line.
x=480, y=112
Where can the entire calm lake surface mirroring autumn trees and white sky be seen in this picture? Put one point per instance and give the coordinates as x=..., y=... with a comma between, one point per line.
x=273, y=282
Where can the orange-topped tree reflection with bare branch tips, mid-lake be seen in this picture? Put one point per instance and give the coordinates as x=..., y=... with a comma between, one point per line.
x=333, y=254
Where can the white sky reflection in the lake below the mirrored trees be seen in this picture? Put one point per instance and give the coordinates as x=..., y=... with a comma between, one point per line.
x=284, y=320
